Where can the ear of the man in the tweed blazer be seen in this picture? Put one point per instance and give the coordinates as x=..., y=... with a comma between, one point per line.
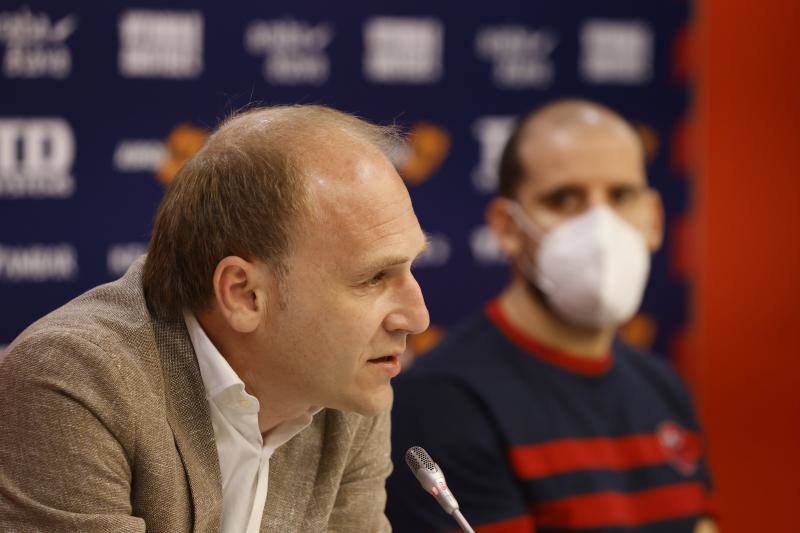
x=240, y=293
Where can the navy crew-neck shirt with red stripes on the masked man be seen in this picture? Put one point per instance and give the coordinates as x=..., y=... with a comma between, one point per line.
x=531, y=439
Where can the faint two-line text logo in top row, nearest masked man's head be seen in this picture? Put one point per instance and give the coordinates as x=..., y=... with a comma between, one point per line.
x=520, y=56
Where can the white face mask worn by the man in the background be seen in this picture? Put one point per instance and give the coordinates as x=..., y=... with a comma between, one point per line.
x=592, y=269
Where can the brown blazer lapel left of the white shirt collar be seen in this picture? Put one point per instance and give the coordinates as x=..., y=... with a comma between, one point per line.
x=190, y=419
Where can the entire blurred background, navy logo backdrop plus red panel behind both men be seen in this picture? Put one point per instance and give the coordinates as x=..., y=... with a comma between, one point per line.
x=101, y=102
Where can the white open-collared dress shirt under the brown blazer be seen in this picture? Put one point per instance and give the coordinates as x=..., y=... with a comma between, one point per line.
x=243, y=453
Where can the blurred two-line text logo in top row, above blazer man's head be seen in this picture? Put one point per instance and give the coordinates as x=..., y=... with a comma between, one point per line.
x=293, y=50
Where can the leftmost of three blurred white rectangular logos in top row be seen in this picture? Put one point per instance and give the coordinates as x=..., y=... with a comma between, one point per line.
x=160, y=44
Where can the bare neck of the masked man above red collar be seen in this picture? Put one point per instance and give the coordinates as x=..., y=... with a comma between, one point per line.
x=527, y=313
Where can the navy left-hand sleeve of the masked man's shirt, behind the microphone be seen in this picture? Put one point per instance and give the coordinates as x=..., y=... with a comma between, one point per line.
x=455, y=428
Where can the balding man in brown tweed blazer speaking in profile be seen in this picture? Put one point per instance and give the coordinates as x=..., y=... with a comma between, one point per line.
x=237, y=379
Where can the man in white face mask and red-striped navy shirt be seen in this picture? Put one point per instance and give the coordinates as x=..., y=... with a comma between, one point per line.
x=540, y=419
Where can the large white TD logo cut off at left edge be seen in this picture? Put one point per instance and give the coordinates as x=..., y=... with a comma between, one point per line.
x=36, y=157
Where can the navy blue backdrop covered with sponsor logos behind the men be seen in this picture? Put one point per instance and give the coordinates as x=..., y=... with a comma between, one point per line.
x=100, y=101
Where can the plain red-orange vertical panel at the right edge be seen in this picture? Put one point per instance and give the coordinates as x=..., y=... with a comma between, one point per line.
x=748, y=290
